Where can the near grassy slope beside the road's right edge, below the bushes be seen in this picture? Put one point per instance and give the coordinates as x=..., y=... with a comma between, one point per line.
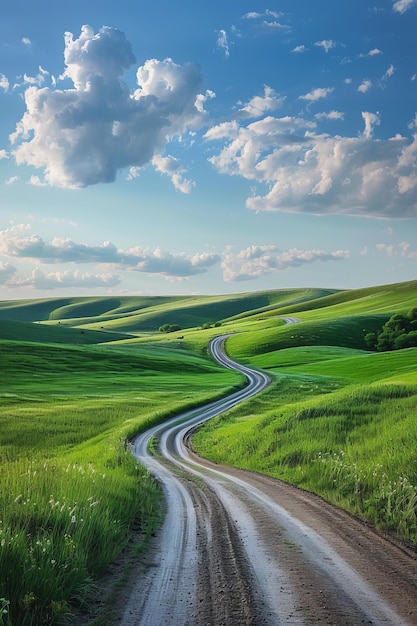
x=354, y=446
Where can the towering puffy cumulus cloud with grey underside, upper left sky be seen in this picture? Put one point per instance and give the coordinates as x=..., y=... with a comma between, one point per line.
x=84, y=134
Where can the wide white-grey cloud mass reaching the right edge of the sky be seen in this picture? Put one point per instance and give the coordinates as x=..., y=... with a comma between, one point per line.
x=306, y=171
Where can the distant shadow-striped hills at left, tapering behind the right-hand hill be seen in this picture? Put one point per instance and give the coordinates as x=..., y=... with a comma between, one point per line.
x=146, y=314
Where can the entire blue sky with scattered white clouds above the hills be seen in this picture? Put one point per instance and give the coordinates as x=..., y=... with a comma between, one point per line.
x=192, y=147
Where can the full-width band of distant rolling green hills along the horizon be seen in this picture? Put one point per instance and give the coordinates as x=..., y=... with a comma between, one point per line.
x=103, y=319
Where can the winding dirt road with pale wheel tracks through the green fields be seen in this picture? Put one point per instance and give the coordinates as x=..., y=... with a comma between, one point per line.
x=237, y=548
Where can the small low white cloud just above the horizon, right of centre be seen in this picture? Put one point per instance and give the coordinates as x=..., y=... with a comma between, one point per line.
x=256, y=261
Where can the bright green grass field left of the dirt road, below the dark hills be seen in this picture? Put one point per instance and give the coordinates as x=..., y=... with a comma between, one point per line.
x=70, y=490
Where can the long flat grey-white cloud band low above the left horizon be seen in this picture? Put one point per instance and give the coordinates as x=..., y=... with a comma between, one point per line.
x=19, y=242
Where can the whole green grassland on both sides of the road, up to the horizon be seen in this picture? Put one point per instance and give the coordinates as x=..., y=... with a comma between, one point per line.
x=81, y=376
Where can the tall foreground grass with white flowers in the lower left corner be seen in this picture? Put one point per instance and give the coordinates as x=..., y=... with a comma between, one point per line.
x=61, y=525
